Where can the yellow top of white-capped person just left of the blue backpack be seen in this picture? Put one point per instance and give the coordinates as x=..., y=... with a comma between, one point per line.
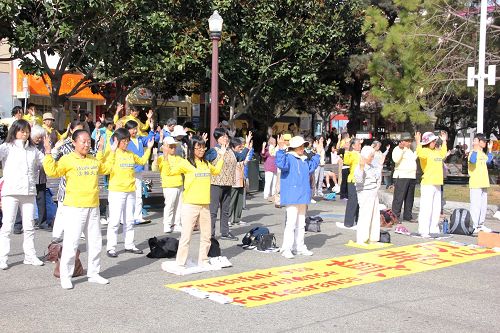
x=431, y=162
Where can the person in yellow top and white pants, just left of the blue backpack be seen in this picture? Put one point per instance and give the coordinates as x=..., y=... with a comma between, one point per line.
x=431, y=161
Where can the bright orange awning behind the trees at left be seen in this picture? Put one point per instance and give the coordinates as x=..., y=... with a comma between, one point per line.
x=37, y=86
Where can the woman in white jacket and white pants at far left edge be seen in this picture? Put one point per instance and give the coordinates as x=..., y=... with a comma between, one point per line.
x=21, y=161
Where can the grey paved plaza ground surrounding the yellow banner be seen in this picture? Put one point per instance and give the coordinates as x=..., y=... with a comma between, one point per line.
x=460, y=298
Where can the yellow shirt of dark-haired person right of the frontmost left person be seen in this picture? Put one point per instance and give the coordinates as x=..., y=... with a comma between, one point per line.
x=122, y=175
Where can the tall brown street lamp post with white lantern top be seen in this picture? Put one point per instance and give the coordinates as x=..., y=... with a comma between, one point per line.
x=215, y=26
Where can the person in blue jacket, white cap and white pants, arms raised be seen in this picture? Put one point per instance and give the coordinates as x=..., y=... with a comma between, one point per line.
x=296, y=170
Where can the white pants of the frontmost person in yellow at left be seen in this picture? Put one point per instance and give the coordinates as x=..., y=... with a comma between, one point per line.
x=86, y=220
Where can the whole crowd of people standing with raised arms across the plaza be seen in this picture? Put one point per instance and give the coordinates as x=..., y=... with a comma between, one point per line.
x=200, y=184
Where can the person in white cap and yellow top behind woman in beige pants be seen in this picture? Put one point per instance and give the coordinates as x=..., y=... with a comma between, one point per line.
x=172, y=187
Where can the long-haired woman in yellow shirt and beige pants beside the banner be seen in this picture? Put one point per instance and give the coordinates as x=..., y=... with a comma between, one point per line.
x=196, y=197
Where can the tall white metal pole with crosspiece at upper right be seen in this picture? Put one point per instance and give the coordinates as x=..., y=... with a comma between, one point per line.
x=481, y=75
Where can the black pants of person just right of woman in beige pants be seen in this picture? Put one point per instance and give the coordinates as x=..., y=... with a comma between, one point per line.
x=220, y=196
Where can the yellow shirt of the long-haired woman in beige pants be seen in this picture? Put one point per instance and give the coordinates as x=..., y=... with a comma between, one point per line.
x=196, y=180
